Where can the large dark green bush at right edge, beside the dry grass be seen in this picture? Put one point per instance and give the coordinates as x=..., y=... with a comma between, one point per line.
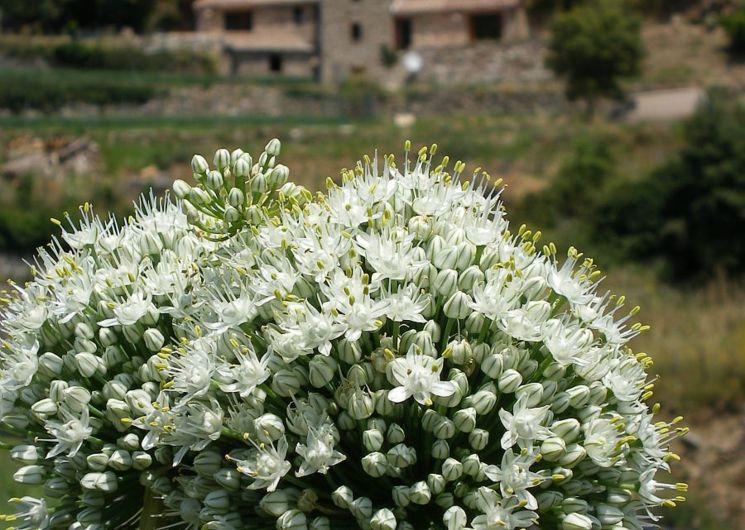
x=690, y=211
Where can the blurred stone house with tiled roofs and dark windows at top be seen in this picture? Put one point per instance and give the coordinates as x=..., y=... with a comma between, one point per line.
x=335, y=39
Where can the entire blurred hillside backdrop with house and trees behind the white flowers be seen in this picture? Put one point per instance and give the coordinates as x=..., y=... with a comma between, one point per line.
x=618, y=127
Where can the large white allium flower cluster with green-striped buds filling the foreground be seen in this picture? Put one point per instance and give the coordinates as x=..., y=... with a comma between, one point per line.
x=386, y=355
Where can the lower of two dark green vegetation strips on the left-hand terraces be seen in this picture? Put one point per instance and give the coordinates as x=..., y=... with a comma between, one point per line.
x=24, y=90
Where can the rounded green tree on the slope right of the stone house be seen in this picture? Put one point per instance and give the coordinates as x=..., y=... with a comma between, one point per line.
x=593, y=46
